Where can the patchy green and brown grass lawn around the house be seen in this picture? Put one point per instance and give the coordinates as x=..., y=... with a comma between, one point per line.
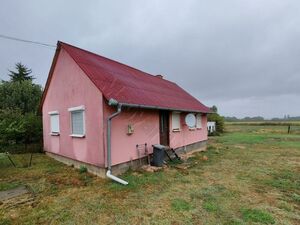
x=252, y=176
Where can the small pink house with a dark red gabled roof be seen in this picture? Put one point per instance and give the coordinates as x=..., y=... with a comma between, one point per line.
x=96, y=111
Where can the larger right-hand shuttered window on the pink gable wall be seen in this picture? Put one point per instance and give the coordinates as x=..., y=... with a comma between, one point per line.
x=77, y=121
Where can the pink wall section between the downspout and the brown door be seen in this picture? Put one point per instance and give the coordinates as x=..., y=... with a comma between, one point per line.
x=146, y=130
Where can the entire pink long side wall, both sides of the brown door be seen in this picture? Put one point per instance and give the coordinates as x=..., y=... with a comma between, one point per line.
x=146, y=130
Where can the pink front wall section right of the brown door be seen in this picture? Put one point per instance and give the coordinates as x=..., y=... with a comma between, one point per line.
x=186, y=136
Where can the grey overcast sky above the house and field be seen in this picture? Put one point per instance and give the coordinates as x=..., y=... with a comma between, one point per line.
x=243, y=56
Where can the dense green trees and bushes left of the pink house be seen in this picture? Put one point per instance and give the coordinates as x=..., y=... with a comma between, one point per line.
x=20, y=123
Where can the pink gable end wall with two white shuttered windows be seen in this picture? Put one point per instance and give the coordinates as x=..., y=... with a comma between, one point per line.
x=70, y=87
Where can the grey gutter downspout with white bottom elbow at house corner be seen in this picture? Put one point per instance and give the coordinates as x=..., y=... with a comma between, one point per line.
x=108, y=173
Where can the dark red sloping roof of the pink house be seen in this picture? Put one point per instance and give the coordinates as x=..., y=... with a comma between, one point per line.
x=128, y=85
